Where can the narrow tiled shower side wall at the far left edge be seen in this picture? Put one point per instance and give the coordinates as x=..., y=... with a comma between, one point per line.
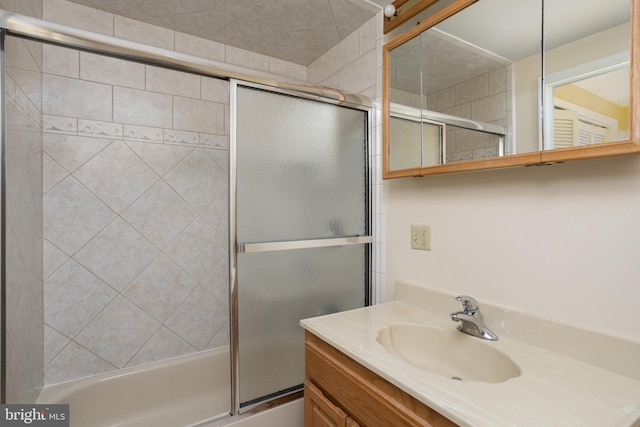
x=23, y=213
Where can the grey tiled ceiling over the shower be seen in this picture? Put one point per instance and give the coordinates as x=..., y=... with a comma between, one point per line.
x=298, y=31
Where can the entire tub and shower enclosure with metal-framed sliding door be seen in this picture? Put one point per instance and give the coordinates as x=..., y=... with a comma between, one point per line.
x=171, y=219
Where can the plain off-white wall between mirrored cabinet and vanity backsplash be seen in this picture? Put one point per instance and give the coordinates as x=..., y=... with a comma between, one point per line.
x=559, y=241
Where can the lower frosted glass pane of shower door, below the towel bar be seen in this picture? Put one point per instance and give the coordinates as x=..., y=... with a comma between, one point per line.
x=278, y=289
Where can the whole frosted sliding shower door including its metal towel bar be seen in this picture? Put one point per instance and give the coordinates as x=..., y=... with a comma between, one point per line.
x=302, y=230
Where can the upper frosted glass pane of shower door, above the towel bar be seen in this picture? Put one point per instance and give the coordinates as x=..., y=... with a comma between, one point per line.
x=301, y=168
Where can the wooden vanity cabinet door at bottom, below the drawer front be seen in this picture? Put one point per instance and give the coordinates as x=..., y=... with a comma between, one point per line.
x=320, y=412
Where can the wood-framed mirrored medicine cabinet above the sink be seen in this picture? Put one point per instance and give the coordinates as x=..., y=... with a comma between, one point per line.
x=479, y=85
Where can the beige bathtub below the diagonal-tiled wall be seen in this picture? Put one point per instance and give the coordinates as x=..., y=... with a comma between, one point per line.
x=181, y=391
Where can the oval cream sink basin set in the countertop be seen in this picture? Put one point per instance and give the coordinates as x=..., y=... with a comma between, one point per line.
x=448, y=352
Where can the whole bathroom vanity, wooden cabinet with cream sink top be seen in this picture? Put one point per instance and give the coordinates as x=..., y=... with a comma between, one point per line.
x=370, y=367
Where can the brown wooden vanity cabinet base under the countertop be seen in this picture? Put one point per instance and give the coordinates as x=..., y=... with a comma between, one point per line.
x=341, y=392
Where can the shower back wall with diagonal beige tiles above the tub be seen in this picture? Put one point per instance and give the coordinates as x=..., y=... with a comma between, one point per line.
x=135, y=213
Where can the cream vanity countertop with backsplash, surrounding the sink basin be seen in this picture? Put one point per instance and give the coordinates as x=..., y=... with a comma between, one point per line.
x=552, y=390
